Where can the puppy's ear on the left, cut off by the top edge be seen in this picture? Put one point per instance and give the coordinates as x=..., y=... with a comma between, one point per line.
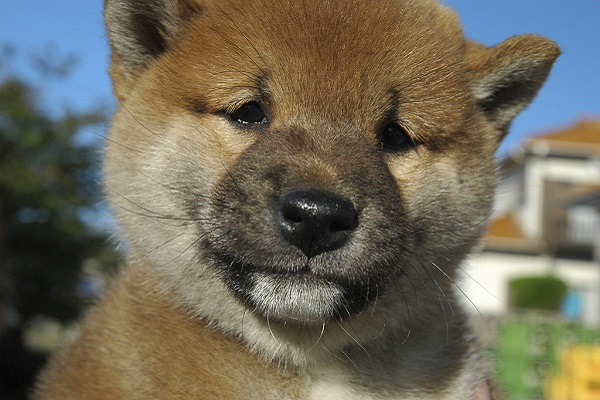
x=139, y=31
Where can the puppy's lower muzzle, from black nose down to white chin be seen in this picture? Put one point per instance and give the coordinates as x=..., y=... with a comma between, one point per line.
x=304, y=256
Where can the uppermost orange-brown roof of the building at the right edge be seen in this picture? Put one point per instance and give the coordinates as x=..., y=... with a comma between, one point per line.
x=581, y=138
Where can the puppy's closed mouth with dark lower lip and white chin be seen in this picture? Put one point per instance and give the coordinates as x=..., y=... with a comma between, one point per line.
x=303, y=297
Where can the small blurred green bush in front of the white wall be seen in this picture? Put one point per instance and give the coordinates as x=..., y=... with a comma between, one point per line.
x=537, y=292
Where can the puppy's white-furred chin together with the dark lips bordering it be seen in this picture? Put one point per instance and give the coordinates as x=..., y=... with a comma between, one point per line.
x=296, y=293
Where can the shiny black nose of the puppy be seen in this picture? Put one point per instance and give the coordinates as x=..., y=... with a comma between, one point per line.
x=316, y=221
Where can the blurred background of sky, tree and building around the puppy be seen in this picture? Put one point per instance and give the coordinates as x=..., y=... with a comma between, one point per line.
x=533, y=288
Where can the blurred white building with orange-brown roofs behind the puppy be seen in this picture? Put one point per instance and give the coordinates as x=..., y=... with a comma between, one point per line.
x=547, y=221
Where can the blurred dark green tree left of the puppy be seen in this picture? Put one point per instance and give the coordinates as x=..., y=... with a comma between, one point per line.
x=47, y=182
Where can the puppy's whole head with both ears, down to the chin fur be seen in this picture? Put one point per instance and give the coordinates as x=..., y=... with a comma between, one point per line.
x=302, y=162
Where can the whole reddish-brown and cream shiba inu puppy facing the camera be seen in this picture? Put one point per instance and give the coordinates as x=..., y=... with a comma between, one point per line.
x=298, y=182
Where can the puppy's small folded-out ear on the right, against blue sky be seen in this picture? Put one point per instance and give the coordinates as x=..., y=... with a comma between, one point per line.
x=504, y=79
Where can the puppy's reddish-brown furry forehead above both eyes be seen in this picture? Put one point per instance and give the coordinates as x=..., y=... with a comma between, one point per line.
x=345, y=55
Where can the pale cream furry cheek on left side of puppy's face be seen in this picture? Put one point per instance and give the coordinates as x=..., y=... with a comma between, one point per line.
x=165, y=185
